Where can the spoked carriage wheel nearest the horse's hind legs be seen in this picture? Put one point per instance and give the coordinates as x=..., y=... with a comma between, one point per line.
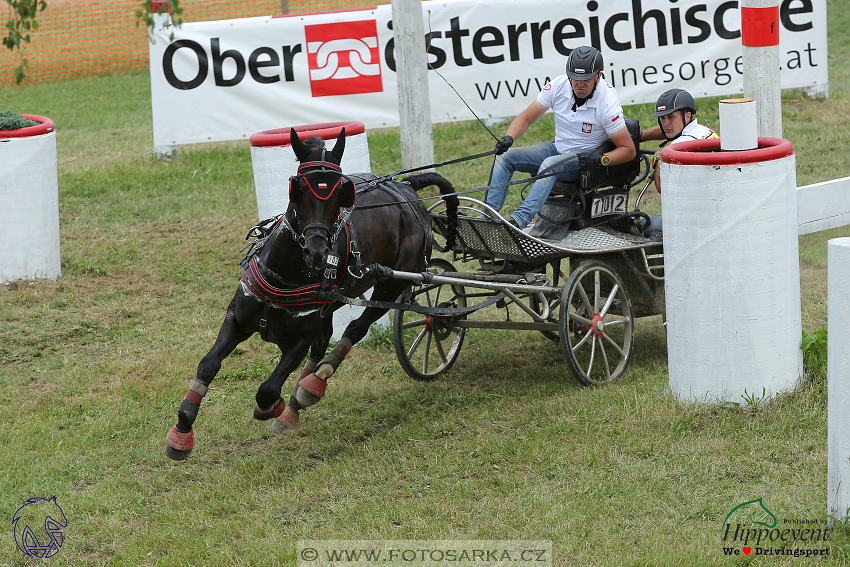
x=428, y=346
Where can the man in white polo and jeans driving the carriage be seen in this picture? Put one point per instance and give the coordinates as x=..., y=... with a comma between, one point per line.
x=587, y=113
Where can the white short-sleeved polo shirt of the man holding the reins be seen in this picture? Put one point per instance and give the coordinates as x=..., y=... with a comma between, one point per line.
x=589, y=125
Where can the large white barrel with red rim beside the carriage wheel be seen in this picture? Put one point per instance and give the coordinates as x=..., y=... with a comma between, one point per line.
x=732, y=277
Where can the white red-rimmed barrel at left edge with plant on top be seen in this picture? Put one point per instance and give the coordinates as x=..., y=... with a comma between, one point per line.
x=29, y=203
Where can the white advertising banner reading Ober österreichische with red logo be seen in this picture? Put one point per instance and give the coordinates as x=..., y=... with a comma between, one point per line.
x=228, y=79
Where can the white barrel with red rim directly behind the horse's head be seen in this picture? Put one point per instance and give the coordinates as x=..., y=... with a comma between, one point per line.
x=274, y=160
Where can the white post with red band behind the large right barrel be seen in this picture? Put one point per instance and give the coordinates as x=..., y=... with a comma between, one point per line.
x=760, y=37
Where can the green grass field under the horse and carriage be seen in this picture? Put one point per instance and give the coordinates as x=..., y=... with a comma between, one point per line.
x=506, y=446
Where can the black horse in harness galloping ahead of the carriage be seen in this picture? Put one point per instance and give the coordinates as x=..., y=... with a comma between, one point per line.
x=300, y=262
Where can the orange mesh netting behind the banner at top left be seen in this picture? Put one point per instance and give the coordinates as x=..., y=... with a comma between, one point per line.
x=99, y=37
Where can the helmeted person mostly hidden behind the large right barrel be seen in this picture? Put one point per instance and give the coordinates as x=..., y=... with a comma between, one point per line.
x=675, y=110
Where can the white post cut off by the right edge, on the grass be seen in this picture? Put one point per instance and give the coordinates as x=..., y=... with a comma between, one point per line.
x=838, y=388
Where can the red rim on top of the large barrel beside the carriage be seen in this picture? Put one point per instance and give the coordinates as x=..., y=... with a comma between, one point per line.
x=707, y=152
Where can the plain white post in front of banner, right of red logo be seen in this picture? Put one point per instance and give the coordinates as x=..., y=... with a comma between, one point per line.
x=414, y=102
